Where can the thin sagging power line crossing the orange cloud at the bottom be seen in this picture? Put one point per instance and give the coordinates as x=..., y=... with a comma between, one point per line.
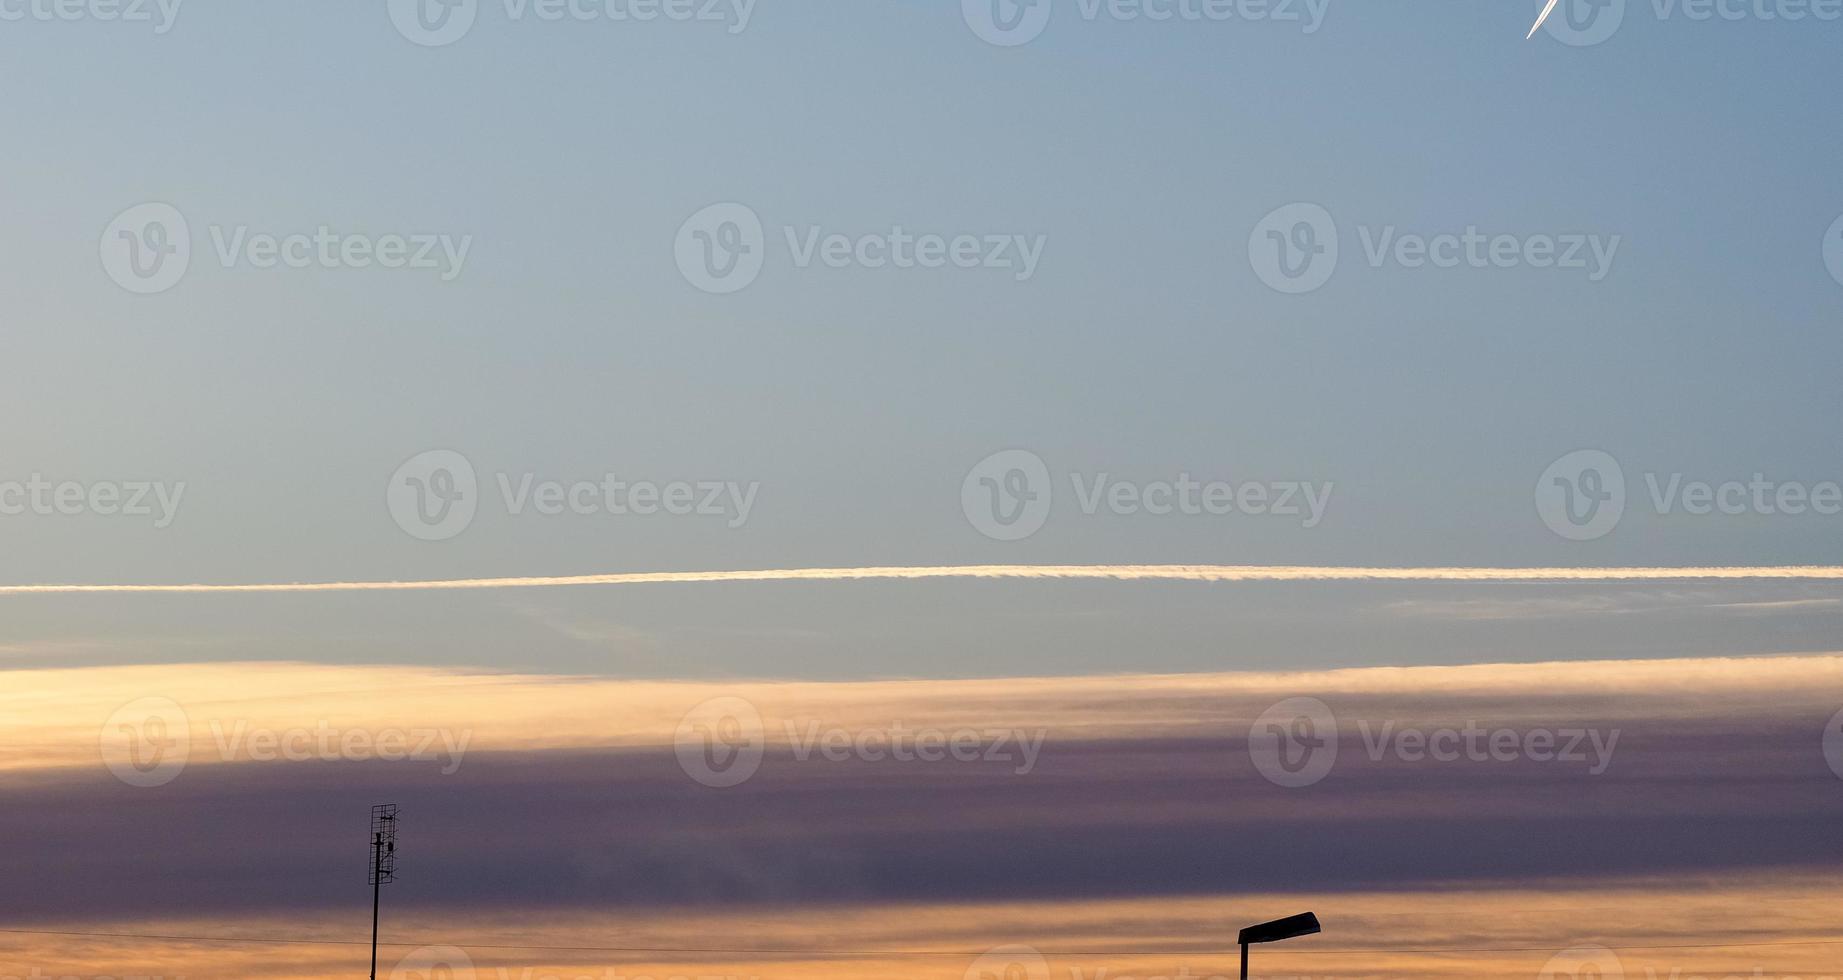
x=897, y=953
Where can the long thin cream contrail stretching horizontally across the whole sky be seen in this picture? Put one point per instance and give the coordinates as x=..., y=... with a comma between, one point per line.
x=1120, y=574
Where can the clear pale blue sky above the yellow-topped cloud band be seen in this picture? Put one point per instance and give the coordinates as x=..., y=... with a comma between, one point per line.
x=1140, y=154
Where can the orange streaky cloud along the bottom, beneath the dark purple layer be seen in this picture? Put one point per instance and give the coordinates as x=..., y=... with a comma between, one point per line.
x=1105, y=940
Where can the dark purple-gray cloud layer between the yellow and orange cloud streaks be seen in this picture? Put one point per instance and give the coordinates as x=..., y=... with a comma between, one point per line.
x=591, y=830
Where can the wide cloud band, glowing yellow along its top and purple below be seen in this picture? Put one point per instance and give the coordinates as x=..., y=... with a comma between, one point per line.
x=574, y=799
